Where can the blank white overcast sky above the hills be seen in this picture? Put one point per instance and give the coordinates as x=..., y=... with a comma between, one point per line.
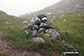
x=20, y=7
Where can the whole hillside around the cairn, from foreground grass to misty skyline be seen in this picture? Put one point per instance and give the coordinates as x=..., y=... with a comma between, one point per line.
x=67, y=18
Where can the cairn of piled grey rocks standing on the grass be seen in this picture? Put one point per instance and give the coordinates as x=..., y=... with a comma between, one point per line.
x=41, y=25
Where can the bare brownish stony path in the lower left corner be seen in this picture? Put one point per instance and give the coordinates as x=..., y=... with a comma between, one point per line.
x=5, y=49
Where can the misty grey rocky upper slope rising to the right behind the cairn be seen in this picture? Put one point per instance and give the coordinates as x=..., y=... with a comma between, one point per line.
x=60, y=7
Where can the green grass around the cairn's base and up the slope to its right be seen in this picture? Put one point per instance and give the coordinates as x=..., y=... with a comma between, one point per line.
x=71, y=31
